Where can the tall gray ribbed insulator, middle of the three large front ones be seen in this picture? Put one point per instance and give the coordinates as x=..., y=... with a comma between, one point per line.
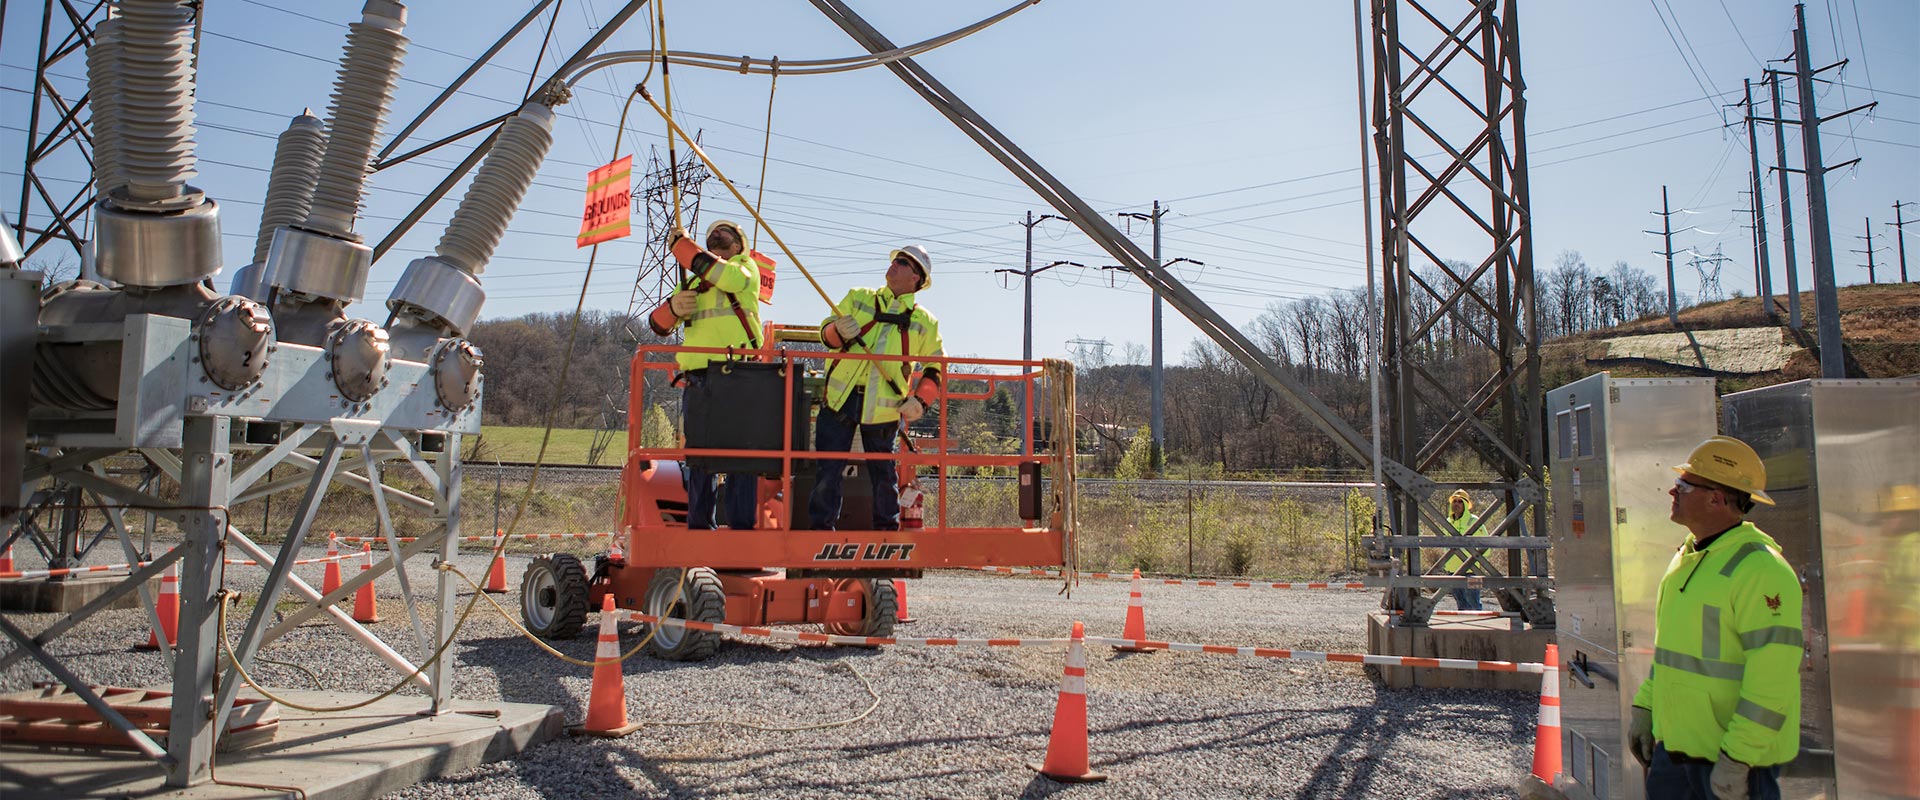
x=364, y=93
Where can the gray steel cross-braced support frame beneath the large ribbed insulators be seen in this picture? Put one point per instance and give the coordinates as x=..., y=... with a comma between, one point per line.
x=216, y=467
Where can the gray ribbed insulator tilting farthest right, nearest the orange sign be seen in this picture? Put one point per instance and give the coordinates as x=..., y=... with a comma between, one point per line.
x=496, y=193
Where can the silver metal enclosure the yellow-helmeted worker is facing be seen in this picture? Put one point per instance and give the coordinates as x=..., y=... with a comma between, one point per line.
x=1614, y=448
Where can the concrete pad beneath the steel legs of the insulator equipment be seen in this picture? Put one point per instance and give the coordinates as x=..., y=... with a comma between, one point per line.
x=329, y=757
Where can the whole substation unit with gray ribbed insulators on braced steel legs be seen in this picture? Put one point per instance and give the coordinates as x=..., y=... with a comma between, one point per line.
x=151, y=371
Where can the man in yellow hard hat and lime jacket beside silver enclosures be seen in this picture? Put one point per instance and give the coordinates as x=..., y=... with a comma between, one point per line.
x=1719, y=715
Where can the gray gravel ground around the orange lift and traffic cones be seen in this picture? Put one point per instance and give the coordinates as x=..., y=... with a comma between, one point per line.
x=949, y=722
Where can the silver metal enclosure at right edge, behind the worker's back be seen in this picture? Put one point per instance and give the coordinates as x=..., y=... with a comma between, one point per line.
x=1844, y=467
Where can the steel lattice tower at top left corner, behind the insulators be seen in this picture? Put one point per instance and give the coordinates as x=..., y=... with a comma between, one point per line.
x=59, y=131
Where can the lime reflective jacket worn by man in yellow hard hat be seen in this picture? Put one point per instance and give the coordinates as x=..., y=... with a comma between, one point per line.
x=1727, y=651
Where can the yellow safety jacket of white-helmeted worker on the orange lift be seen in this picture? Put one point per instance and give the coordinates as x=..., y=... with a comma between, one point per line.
x=886, y=383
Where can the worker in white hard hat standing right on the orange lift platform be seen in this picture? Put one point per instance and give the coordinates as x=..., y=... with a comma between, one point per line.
x=875, y=398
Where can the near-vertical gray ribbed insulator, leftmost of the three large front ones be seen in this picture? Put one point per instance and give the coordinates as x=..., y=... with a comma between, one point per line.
x=156, y=103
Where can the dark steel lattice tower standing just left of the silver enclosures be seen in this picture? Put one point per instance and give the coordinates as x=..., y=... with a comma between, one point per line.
x=1451, y=82
